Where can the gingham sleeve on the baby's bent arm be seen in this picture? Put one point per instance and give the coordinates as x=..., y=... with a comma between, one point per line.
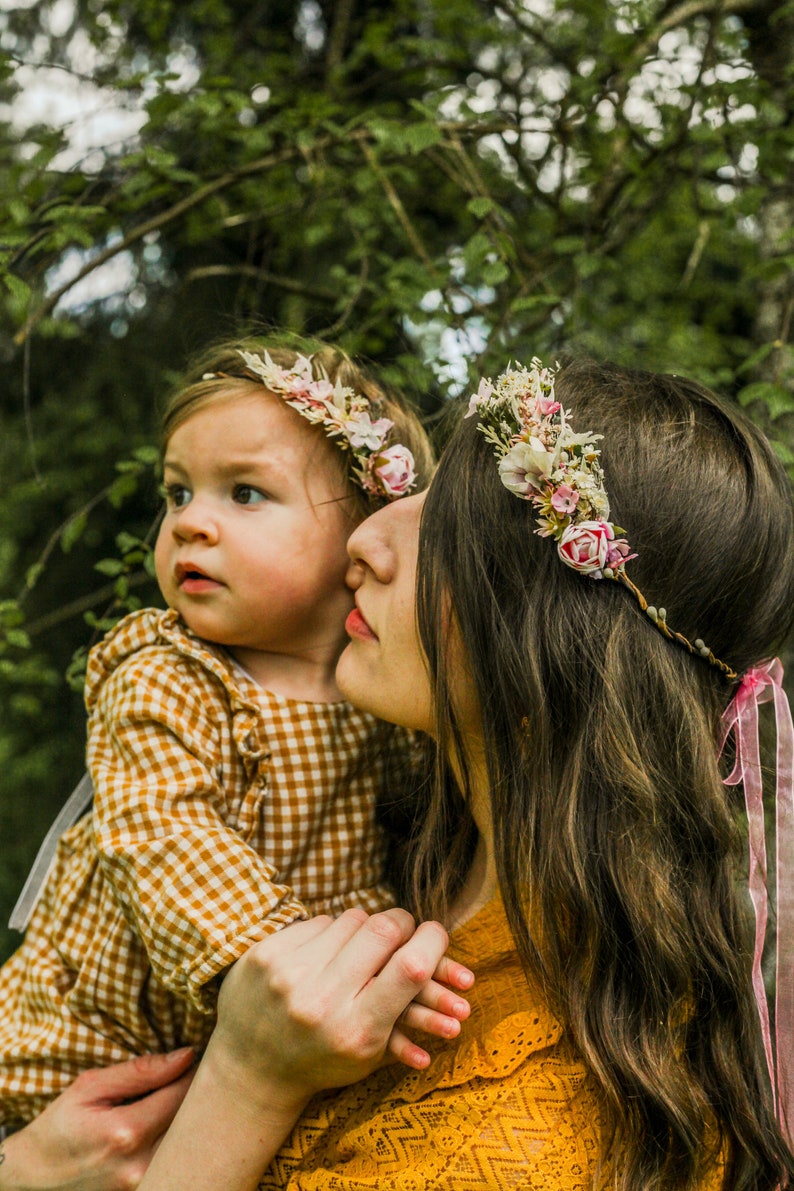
x=172, y=840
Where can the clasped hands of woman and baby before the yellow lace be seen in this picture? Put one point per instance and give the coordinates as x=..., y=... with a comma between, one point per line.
x=317, y=1006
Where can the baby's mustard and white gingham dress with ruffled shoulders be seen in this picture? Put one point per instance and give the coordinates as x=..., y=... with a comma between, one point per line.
x=222, y=813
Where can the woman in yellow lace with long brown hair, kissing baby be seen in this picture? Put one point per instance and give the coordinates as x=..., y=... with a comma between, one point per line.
x=576, y=834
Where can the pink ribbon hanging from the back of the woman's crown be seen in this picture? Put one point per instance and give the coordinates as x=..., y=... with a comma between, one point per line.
x=760, y=685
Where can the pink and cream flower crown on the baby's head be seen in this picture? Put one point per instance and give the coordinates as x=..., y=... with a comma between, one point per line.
x=382, y=472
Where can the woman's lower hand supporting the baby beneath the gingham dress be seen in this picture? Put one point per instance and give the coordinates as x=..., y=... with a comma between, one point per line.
x=102, y=1133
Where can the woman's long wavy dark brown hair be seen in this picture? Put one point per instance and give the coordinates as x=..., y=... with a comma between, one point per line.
x=616, y=840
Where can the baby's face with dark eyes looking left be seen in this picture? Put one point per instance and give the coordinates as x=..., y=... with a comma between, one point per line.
x=252, y=551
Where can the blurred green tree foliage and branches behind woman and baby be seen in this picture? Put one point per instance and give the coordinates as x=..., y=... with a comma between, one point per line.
x=437, y=185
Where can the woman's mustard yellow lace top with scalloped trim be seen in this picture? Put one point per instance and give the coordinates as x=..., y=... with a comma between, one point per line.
x=508, y=1106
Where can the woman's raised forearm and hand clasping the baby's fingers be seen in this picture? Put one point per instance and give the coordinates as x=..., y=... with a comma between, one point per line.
x=309, y=1009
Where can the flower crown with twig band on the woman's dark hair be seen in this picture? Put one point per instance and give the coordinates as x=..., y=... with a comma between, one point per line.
x=542, y=460
